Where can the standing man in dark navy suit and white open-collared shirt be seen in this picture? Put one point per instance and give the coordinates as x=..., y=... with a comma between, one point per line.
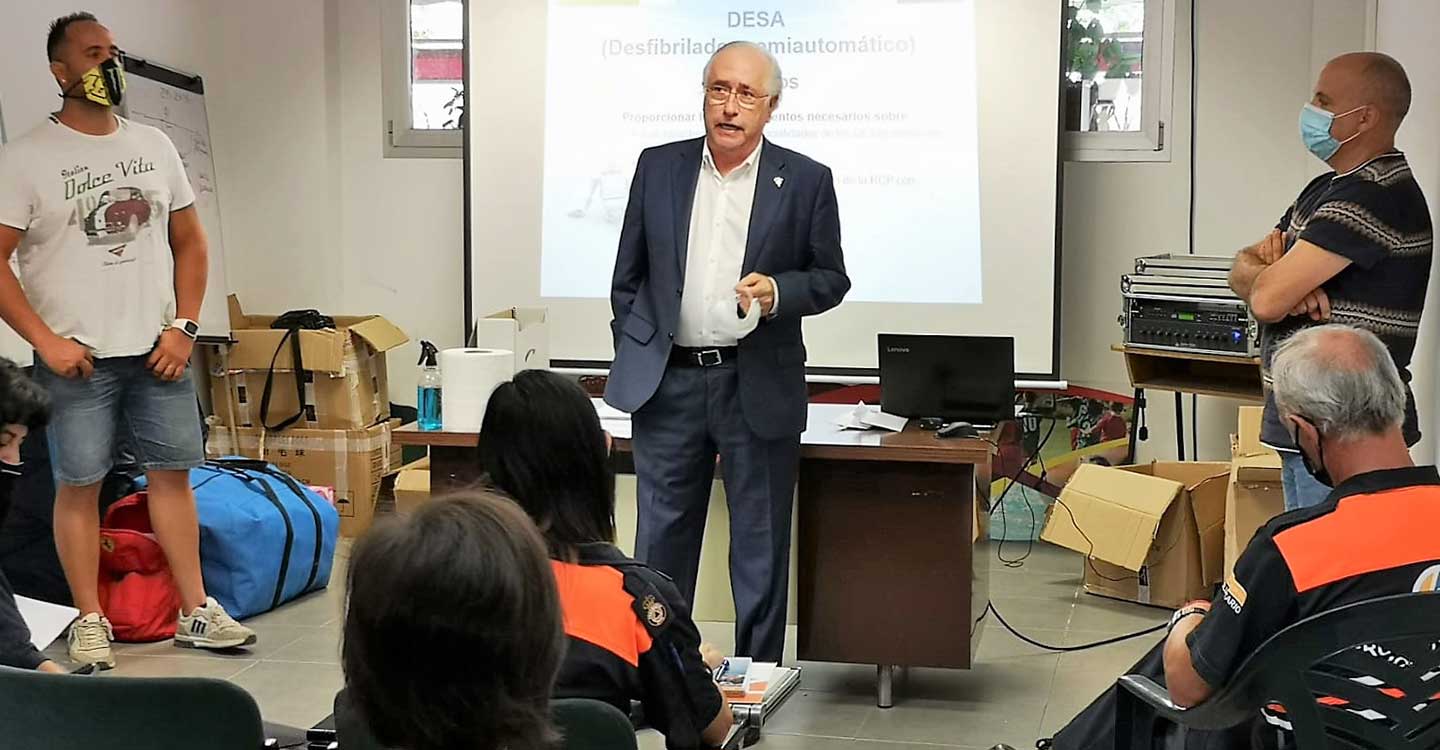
x=714, y=227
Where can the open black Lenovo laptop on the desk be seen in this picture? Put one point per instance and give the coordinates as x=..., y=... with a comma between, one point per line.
x=954, y=378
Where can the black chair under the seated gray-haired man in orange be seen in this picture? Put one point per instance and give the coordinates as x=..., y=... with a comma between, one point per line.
x=1387, y=708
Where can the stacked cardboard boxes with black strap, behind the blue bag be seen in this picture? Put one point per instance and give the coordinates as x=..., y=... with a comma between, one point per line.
x=343, y=437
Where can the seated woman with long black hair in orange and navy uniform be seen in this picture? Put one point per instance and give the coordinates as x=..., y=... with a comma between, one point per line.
x=631, y=636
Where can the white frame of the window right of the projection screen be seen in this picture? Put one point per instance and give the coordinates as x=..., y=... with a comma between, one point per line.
x=1153, y=142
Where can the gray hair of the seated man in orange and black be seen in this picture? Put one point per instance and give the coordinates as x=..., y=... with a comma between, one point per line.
x=1341, y=379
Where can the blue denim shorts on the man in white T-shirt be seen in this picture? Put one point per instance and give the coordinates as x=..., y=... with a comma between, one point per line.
x=122, y=407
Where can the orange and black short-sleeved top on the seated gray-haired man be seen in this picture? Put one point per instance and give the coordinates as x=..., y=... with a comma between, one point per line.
x=1374, y=536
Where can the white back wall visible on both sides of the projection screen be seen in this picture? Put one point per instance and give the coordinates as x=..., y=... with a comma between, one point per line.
x=315, y=217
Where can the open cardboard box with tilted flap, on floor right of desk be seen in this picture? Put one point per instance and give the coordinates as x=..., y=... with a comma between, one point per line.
x=1153, y=533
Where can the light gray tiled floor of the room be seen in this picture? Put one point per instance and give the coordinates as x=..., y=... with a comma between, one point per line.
x=1014, y=695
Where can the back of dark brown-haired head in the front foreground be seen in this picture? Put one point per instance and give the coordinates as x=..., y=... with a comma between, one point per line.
x=466, y=578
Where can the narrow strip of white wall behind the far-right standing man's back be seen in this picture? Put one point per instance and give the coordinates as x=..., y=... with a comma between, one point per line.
x=1406, y=31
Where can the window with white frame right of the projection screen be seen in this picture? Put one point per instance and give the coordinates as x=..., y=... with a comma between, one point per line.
x=1118, y=58
